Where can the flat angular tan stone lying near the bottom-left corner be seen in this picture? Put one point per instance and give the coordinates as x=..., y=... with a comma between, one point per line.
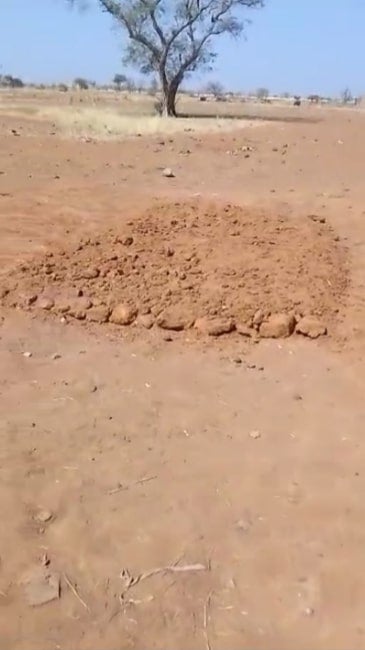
x=41, y=586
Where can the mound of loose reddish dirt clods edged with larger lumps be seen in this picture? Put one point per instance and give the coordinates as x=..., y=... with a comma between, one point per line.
x=224, y=268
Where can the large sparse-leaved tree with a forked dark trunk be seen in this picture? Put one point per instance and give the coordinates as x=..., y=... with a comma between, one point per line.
x=172, y=38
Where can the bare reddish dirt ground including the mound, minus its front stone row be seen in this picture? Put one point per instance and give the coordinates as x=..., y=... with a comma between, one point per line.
x=244, y=458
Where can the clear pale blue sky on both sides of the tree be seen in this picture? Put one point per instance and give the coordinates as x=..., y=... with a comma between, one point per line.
x=299, y=46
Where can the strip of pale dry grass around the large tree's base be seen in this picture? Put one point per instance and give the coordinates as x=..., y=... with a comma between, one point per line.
x=103, y=114
